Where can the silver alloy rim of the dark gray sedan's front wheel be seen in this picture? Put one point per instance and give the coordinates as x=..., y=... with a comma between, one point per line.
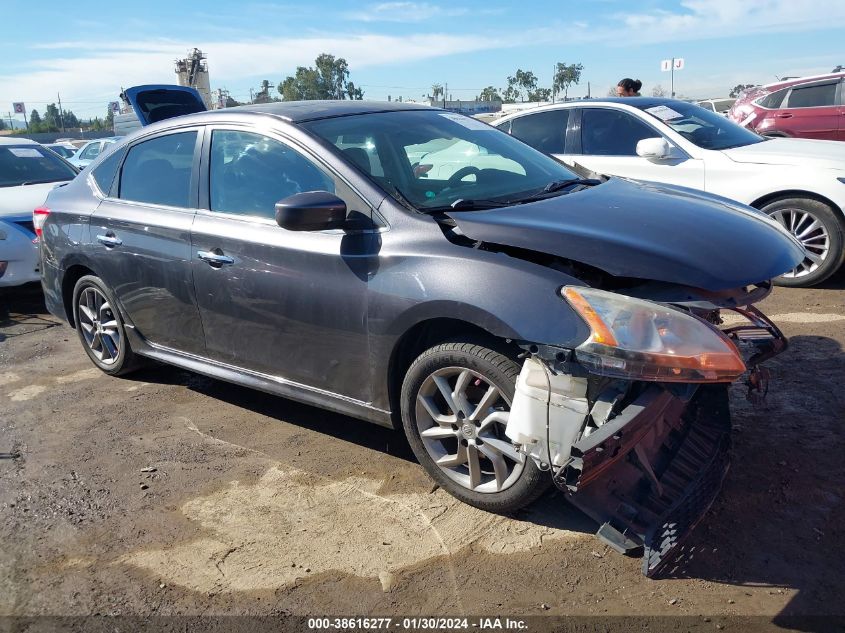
x=461, y=418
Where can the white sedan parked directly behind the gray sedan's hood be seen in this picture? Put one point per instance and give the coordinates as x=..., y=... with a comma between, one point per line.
x=799, y=182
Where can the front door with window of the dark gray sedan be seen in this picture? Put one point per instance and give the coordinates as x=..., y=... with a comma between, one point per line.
x=288, y=304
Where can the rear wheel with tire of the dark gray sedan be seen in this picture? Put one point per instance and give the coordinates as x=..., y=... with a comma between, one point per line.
x=100, y=327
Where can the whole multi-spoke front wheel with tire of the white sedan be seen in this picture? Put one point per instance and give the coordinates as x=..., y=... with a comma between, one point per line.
x=819, y=230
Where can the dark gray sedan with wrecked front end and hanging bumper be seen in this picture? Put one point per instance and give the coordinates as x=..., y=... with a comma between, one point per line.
x=456, y=308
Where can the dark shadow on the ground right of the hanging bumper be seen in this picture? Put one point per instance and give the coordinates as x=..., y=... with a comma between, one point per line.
x=778, y=520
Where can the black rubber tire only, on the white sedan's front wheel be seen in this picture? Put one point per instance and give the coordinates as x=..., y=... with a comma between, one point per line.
x=831, y=224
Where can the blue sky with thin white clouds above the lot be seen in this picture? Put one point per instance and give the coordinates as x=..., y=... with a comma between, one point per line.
x=86, y=51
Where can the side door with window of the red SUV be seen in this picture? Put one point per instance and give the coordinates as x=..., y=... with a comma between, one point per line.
x=811, y=111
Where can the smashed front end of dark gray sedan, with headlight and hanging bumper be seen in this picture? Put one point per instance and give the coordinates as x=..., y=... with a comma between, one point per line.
x=634, y=423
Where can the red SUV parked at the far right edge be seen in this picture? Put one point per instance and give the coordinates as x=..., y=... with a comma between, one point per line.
x=809, y=107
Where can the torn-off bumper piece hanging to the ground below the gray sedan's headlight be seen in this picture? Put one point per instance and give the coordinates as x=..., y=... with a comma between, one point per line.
x=649, y=475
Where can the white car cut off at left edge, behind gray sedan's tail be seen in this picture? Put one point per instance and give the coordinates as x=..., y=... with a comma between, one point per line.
x=28, y=172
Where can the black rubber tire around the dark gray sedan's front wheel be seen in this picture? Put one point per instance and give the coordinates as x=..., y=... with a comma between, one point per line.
x=498, y=370
